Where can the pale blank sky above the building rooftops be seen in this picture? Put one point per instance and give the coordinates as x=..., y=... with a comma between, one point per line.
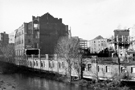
x=86, y=18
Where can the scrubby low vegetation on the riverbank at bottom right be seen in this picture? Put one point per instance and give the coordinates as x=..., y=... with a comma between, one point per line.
x=102, y=85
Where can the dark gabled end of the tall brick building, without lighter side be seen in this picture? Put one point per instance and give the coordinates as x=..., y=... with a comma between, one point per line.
x=46, y=32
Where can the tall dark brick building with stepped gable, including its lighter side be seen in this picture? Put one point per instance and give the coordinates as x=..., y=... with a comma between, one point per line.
x=42, y=33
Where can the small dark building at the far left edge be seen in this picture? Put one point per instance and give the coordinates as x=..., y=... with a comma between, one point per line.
x=4, y=39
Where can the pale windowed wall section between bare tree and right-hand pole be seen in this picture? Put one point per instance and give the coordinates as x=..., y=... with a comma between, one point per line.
x=103, y=71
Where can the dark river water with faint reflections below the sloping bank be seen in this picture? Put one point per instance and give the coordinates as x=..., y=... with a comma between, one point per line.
x=23, y=82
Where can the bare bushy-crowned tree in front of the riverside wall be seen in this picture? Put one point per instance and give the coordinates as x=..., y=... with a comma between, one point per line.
x=67, y=48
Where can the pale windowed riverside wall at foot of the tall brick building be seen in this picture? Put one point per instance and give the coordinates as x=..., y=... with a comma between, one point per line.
x=56, y=65
